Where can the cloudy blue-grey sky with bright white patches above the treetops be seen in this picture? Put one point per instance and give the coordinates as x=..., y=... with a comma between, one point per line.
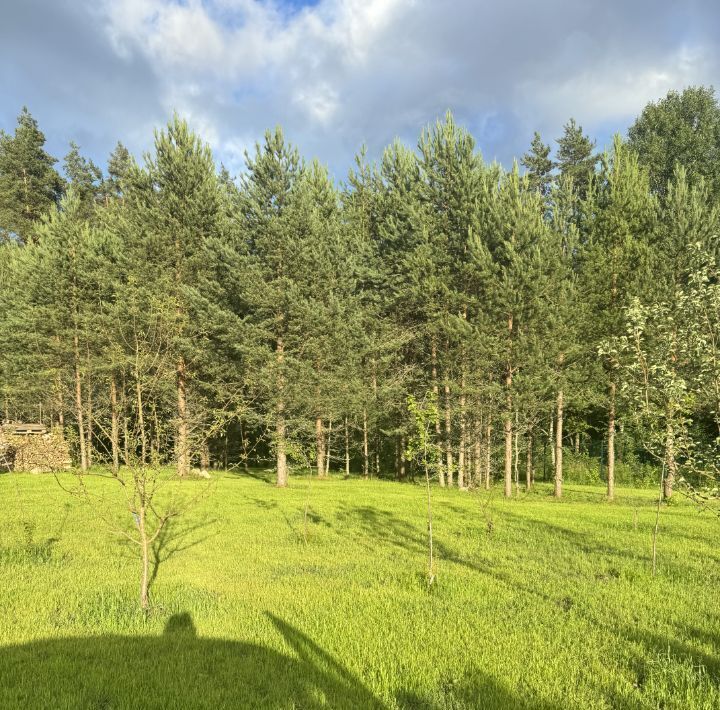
x=337, y=74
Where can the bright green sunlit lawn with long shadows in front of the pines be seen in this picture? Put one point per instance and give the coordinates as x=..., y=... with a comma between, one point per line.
x=538, y=603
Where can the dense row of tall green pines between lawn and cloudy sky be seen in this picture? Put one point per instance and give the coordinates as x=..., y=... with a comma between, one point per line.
x=162, y=311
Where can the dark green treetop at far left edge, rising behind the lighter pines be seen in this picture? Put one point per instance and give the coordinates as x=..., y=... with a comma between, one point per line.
x=29, y=185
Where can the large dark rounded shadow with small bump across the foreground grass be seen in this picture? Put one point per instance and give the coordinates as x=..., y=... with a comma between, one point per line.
x=177, y=669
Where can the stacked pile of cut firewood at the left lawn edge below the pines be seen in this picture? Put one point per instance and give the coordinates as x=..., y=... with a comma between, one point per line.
x=32, y=448
